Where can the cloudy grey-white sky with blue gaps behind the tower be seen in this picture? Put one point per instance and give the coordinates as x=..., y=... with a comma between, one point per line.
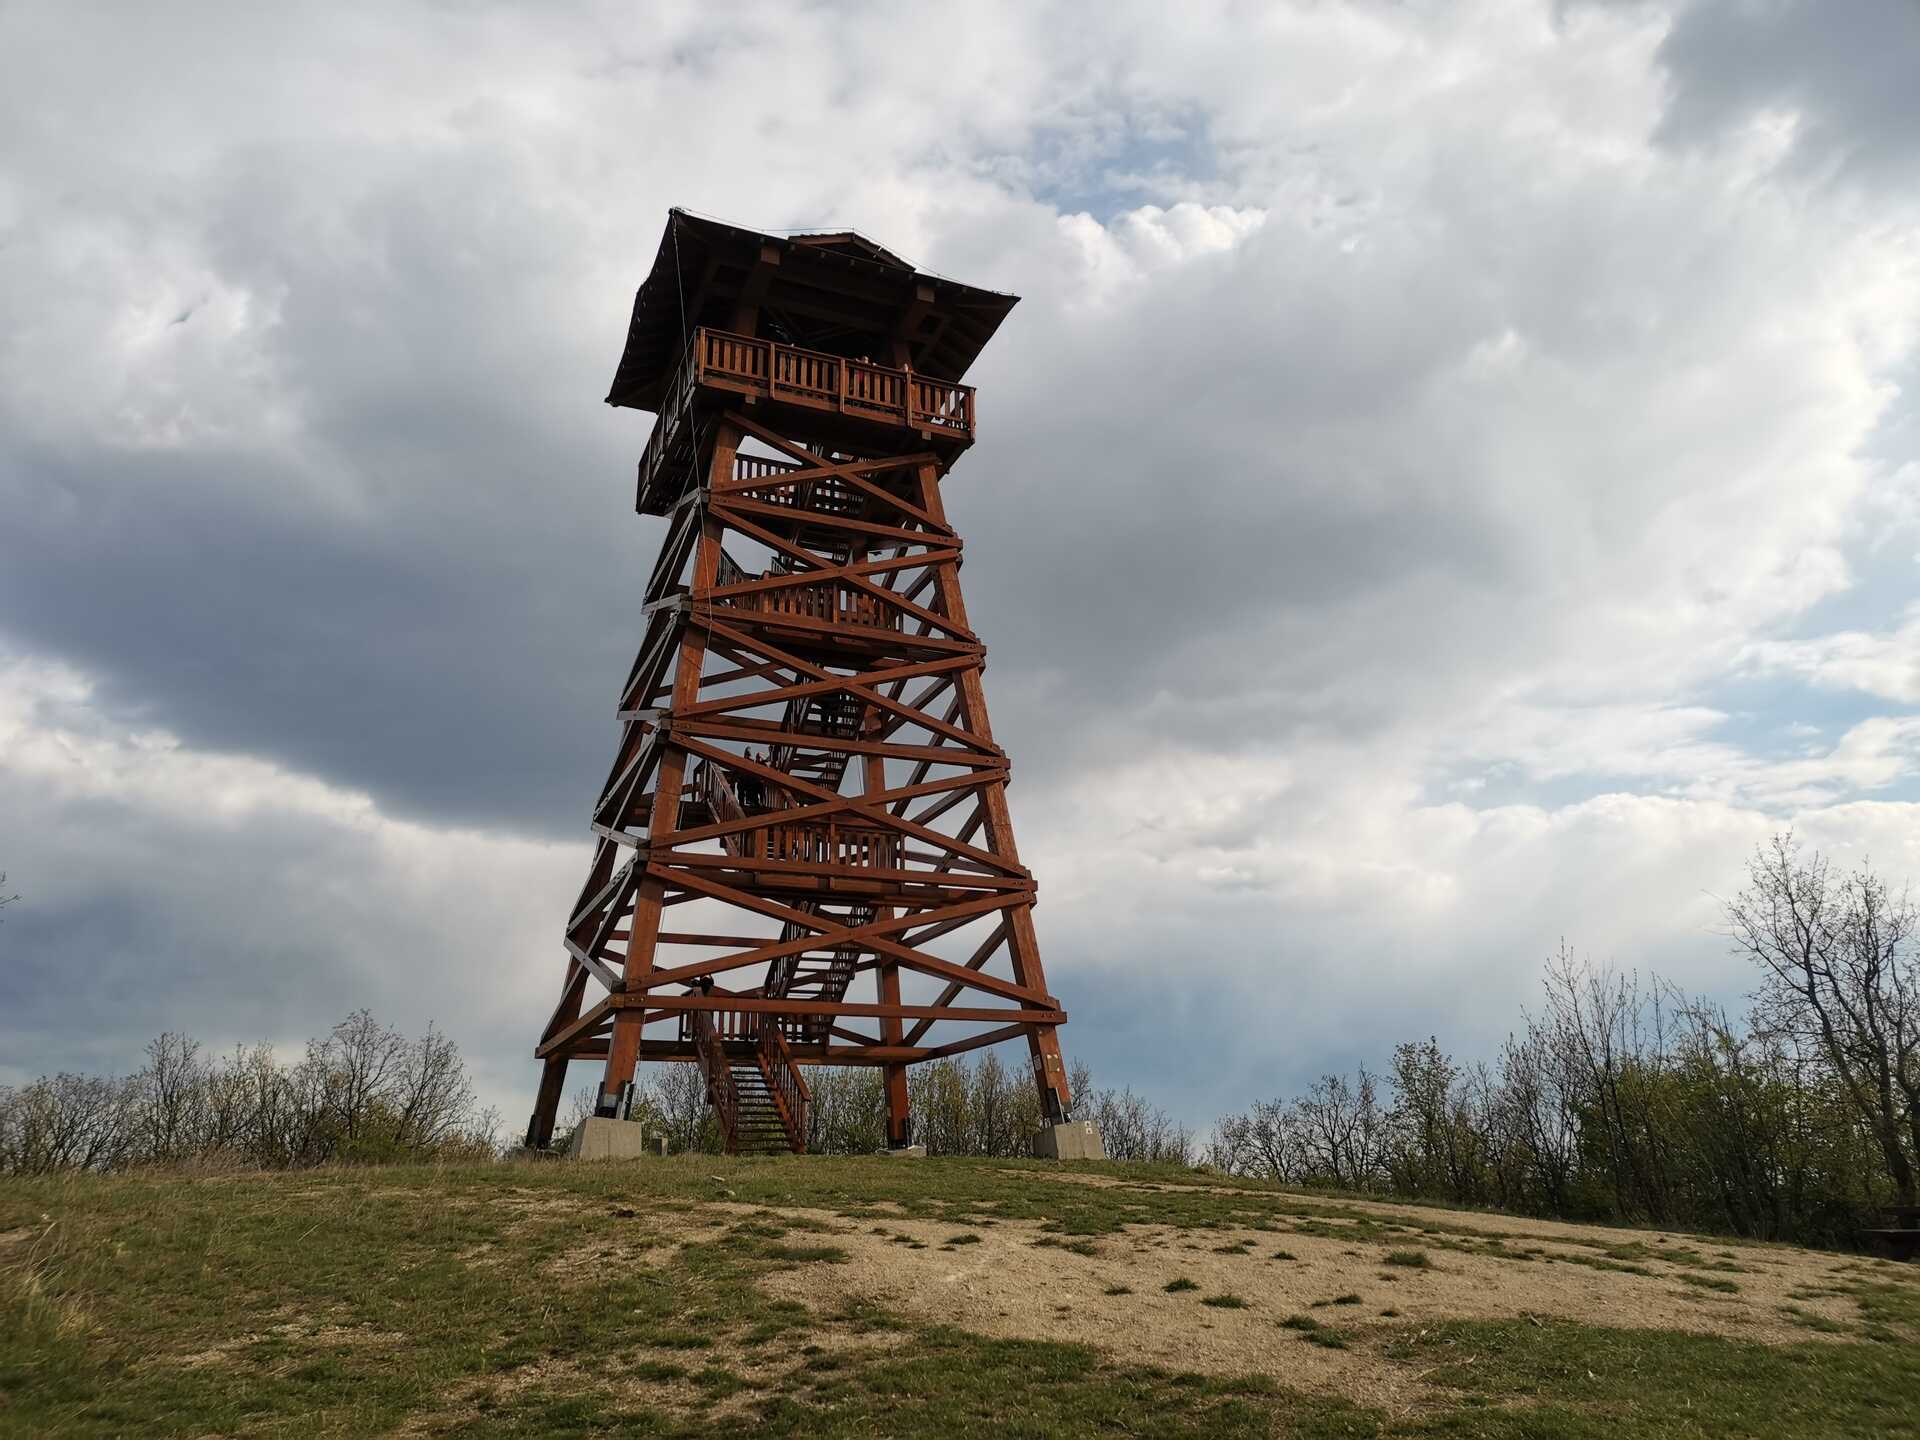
x=1452, y=485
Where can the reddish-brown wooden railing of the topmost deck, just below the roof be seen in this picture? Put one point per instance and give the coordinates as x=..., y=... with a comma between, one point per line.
x=819, y=381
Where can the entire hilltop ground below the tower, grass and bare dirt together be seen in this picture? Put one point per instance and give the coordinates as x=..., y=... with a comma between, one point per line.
x=821, y=1297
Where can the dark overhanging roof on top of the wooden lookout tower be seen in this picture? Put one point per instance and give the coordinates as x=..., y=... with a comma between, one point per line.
x=832, y=291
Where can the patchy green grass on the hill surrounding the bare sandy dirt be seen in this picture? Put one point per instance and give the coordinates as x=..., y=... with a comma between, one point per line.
x=575, y=1301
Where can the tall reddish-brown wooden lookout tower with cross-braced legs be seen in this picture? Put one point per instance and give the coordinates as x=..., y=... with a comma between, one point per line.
x=804, y=846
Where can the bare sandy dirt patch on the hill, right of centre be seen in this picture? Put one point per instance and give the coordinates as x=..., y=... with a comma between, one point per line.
x=1020, y=1282
